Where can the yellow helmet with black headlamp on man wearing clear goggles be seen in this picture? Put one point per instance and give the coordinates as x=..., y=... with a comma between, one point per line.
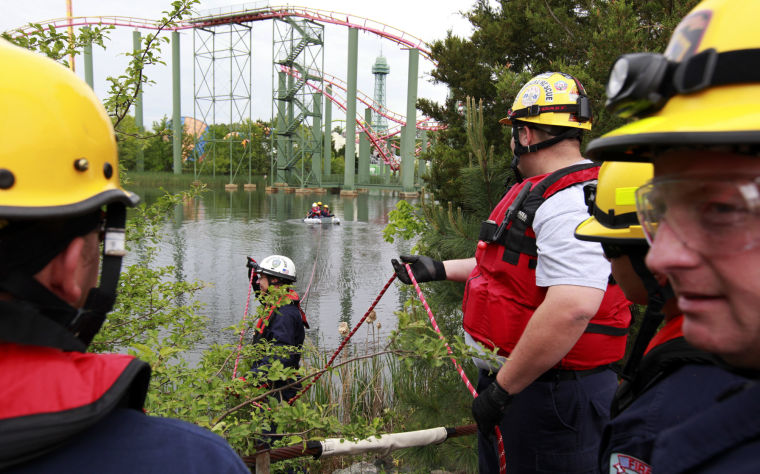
x=702, y=91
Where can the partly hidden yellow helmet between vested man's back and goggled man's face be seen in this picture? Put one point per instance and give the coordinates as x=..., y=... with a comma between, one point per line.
x=613, y=212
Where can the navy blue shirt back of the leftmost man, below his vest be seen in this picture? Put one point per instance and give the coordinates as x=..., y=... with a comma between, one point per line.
x=128, y=441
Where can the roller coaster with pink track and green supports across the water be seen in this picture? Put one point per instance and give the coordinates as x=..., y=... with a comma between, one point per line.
x=222, y=89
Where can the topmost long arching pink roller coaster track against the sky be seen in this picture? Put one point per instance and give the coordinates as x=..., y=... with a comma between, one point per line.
x=243, y=14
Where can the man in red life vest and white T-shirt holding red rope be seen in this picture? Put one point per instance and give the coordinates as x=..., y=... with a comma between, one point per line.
x=539, y=296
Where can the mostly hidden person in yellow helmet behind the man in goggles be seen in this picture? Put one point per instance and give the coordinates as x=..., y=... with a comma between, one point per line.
x=665, y=380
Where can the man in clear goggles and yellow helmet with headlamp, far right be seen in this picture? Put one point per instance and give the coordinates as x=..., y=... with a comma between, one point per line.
x=698, y=123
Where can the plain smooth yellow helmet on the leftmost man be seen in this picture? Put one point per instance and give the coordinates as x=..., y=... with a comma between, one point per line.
x=59, y=155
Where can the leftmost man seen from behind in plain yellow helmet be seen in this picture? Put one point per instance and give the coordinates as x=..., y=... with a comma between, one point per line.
x=61, y=408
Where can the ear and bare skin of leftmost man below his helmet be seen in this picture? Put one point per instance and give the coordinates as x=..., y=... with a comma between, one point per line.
x=60, y=274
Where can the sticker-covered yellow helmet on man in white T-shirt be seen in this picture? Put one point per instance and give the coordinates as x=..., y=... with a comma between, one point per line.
x=551, y=98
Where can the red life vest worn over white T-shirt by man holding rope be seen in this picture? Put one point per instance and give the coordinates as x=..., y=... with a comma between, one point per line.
x=501, y=293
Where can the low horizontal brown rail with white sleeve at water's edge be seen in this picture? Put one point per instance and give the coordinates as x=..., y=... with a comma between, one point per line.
x=384, y=444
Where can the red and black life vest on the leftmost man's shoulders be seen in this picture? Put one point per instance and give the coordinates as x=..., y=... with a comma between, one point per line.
x=50, y=395
